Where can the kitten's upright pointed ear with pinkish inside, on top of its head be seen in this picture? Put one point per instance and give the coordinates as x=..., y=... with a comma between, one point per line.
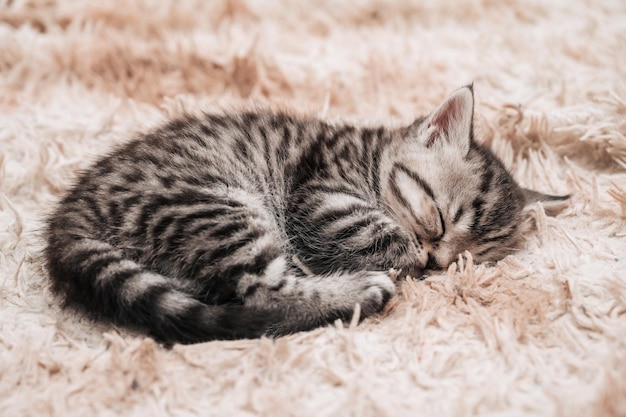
x=453, y=120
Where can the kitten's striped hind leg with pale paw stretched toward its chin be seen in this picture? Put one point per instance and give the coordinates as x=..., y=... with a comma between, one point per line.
x=233, y=248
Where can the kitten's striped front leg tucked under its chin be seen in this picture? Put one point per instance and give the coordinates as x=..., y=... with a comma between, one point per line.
x=335, y=230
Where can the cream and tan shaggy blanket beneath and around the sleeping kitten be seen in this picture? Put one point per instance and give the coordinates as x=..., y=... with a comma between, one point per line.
x=543, y=332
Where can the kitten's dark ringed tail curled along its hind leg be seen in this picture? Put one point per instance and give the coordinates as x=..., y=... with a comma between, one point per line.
x=98, y=277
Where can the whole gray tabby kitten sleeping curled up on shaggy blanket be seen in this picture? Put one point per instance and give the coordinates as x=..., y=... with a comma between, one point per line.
x=260, y=223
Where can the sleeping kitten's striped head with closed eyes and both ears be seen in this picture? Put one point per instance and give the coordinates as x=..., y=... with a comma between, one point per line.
x=451, y=193
